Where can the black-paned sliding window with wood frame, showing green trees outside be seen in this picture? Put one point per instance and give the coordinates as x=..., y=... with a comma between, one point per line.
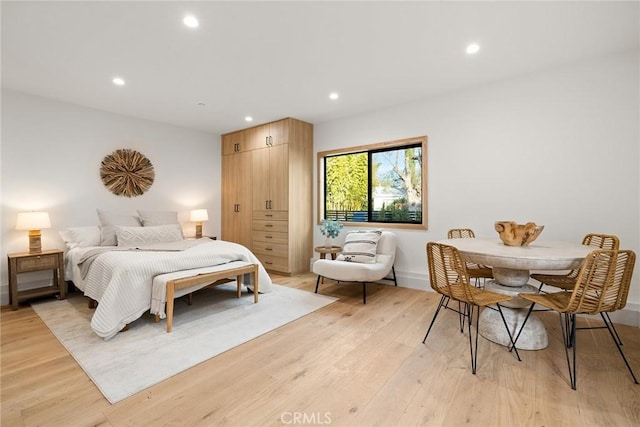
x=382, y=183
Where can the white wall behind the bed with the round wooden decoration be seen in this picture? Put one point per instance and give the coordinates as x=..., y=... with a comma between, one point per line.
x=51, y=154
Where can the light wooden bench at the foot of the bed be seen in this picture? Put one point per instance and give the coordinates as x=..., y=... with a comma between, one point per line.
x=192, y=280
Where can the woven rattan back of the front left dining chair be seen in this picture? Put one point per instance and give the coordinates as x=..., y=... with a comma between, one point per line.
x=447, y=272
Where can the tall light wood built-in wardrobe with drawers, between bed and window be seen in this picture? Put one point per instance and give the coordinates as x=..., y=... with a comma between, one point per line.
x=279, y=156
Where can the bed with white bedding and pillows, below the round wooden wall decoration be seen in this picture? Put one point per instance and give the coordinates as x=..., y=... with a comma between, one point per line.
x=120, y=277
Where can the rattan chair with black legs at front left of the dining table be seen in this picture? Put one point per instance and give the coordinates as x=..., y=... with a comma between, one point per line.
x=448, y=276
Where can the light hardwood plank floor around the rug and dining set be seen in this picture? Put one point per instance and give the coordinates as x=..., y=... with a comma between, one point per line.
x=347, y=364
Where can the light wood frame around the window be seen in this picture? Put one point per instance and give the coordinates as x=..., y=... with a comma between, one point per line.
x=406, y=142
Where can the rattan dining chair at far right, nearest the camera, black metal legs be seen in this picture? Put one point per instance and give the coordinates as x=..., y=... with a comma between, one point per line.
x=601, y=287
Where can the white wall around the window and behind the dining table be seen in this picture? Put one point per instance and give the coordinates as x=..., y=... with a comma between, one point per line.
x=560, y=148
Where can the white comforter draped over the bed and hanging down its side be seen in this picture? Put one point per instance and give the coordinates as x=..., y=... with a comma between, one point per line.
x=121, y=281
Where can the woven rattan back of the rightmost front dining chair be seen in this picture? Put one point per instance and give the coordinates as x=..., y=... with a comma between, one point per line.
x=603, y=282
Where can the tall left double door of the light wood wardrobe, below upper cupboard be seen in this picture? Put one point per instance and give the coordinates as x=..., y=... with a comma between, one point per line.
x=236, y=198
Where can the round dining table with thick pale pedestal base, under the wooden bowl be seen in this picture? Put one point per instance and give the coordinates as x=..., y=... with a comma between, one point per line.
x=512, y=266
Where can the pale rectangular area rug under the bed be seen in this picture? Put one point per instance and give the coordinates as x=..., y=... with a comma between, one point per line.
x=146, y=354
